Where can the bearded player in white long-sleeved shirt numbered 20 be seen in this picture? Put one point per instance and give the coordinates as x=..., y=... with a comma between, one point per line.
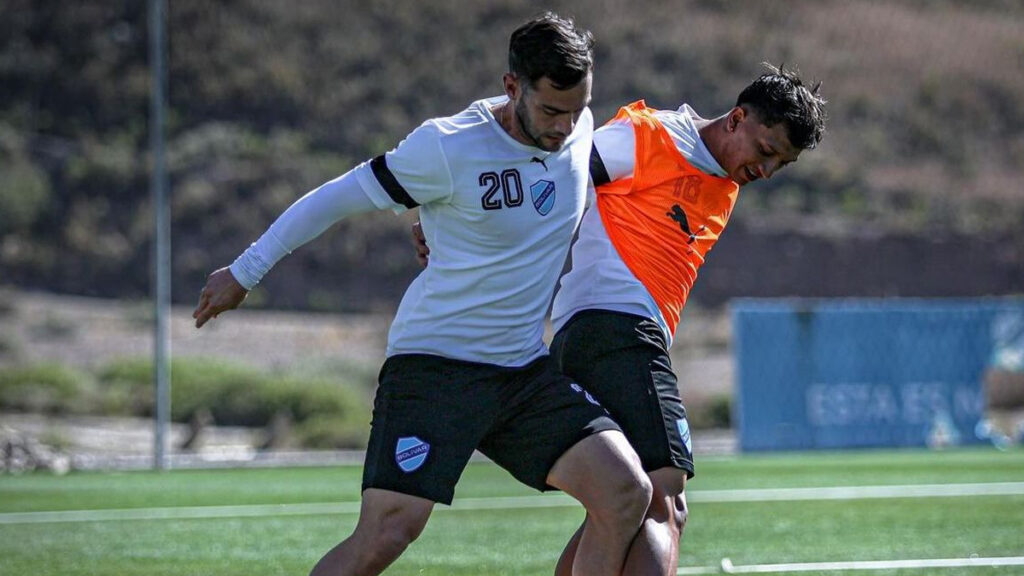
x=501, y=189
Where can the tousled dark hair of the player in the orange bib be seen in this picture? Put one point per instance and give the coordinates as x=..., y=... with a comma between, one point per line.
x=780, y=96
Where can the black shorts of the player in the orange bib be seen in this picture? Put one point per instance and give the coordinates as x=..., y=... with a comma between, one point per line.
x=623, y=360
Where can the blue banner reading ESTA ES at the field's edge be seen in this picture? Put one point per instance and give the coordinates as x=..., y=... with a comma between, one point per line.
x=869, y=374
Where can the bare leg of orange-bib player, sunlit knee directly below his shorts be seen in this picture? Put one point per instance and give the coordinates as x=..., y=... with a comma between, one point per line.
x=656, y=550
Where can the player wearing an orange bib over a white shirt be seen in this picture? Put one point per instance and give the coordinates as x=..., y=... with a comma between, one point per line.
x=665, y=185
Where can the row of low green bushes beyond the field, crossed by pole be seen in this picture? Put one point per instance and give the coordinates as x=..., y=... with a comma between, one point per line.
x=326, y=413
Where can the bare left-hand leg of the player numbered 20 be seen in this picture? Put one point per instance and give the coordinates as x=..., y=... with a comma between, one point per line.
x=389, y=523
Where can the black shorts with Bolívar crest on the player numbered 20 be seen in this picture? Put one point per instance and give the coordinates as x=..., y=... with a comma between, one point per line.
x=432, y=413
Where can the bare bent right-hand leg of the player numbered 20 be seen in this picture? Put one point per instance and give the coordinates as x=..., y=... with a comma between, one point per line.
x=605, y=474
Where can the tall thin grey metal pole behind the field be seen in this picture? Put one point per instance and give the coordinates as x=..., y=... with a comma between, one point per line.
x=162, y=229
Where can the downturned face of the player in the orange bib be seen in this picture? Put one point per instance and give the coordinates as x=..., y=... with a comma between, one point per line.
x=754, y=151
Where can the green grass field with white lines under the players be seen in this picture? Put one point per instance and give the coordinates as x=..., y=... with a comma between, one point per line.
x=249, y=522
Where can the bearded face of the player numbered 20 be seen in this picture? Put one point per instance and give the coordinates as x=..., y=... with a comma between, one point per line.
x=547, y=116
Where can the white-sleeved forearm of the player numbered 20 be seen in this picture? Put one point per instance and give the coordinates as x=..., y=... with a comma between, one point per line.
x=303, y=222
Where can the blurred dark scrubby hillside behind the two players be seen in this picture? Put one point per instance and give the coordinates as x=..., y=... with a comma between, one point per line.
x=915, y=191
